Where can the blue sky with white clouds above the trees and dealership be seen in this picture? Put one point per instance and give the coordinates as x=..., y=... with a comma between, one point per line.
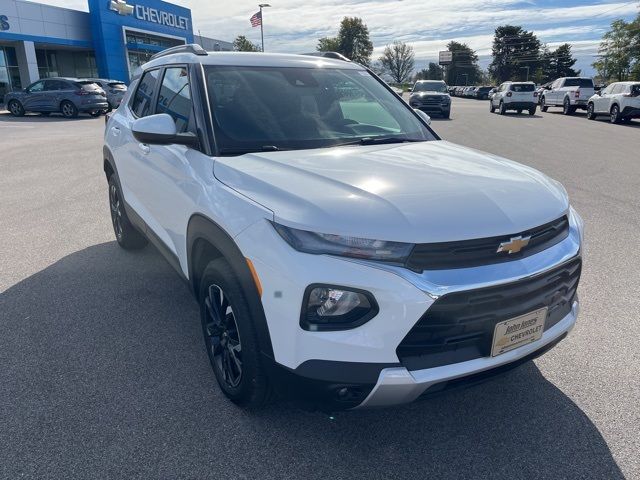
x=293, y=26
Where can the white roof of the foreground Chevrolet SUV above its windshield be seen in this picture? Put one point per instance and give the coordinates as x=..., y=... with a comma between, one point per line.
x=251, y=59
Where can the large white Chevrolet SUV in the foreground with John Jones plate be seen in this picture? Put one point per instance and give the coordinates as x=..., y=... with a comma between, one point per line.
x=341, y=253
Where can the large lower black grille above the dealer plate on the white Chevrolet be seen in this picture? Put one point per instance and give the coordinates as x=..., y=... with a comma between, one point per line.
x=459, y=326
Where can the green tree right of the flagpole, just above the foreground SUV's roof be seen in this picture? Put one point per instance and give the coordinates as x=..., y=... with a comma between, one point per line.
x=352, y=41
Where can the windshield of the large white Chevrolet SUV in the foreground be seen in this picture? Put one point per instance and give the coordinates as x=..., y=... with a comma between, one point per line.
x=275, y=108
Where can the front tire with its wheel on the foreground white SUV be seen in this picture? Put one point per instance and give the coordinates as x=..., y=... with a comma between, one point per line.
x=231, y=339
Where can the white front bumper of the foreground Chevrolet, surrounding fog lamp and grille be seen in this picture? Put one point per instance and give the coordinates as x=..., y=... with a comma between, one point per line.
x=364, y=359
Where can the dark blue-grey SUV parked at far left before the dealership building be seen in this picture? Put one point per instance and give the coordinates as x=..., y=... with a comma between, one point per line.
x=65, y=95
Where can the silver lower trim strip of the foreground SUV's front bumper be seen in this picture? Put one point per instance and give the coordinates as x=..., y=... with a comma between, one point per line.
x=398, y=385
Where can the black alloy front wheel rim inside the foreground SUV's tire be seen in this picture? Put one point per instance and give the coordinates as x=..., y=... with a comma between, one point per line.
x=222, y=337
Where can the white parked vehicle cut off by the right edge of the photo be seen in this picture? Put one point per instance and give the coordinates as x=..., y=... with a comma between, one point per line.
x=620, y=101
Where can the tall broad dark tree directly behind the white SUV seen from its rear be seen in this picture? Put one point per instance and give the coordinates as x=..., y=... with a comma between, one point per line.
x=516, y=54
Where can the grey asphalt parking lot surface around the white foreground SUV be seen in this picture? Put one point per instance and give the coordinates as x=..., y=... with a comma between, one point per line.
x=104, y=374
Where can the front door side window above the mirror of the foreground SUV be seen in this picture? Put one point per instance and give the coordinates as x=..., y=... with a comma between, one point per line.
x=175, y=97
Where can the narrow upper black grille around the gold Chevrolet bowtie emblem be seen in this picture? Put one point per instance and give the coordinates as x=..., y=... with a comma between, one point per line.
x=483, y=251
